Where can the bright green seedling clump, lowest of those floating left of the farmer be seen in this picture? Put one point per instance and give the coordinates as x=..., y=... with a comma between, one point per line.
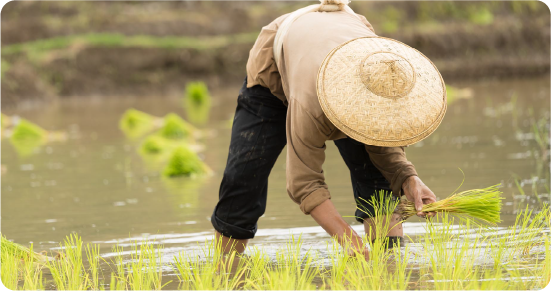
x=184, y=162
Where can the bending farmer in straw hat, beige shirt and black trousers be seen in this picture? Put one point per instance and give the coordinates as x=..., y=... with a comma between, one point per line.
x=318, y=74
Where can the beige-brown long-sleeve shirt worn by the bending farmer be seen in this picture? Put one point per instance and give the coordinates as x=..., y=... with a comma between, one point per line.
x=309, y=40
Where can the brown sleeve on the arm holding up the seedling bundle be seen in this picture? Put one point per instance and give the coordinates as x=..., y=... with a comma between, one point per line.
x=393, y=164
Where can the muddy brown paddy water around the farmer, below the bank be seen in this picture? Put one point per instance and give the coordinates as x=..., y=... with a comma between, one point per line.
x=95, y=183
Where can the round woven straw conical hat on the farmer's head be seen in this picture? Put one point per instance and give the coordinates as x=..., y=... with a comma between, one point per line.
x=381, y=92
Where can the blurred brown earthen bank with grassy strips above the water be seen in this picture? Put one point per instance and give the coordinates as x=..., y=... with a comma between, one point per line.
x=59, y=48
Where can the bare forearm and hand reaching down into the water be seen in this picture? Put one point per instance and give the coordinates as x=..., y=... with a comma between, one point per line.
x=327, y=216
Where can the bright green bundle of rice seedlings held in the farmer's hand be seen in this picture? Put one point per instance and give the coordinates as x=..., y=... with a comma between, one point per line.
x=483, y=206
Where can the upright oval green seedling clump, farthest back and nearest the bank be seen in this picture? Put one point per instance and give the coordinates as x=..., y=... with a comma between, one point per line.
x=197, y=102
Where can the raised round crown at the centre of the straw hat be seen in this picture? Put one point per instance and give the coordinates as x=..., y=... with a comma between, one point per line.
x=387, y=74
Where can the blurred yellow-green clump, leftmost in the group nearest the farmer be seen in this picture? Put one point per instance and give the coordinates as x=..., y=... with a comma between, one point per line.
x=135, y=123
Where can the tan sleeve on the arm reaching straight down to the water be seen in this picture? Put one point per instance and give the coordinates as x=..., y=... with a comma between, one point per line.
x=306, y=138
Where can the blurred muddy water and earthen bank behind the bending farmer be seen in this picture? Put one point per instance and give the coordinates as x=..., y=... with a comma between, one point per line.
x=71, y=69
